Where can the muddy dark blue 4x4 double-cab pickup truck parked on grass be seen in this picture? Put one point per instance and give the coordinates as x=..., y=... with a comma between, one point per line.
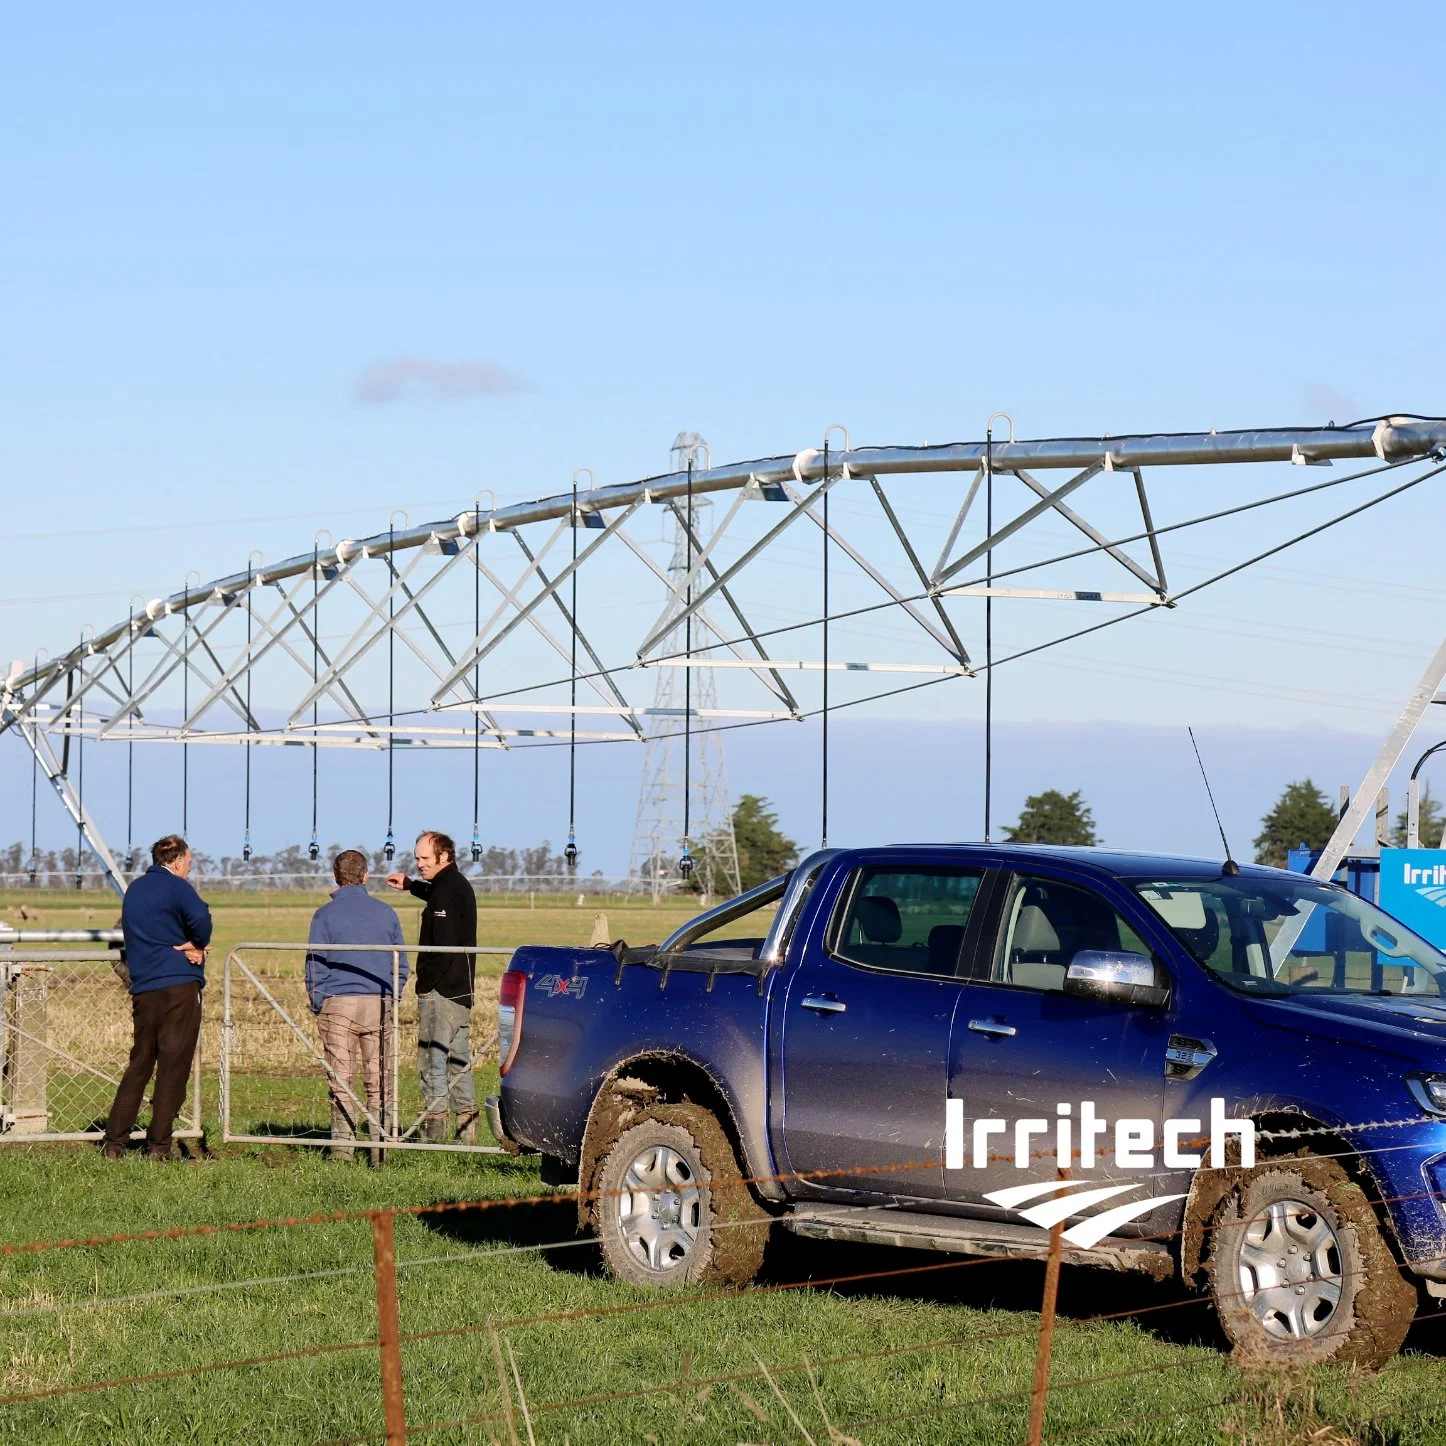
x=1231, y=1077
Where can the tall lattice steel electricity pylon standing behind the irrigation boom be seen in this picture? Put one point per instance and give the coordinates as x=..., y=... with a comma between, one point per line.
x=676, y=751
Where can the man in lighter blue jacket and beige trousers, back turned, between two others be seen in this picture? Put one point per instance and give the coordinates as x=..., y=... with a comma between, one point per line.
x=351, y=993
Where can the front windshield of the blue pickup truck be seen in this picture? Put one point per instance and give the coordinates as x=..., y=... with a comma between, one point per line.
x=1276, y=936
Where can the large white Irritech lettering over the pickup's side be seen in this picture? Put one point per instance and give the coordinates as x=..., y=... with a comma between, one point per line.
x=1081, y=1134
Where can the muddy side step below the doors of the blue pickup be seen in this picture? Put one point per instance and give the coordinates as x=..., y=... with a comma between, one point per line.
x=961, y=1237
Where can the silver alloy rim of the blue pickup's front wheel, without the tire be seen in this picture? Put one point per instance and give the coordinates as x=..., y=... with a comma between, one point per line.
x=1291, y=1270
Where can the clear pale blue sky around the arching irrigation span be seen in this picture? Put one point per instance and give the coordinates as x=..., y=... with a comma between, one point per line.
x=753, y=222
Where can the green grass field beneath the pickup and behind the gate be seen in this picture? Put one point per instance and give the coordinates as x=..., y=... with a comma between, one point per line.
x=922, y=1348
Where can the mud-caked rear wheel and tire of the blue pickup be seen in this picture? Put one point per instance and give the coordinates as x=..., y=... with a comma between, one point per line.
x=662, y=1221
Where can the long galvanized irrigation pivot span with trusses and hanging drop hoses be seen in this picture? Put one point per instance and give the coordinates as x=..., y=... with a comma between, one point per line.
x=482, y=633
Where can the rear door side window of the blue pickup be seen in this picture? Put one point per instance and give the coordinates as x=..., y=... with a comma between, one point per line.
x=907, y=920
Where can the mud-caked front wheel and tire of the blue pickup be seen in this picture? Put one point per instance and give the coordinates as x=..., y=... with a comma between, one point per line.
x=1301, y=1272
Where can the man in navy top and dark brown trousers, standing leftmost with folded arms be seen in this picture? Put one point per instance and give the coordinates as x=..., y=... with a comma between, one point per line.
x=167, y=928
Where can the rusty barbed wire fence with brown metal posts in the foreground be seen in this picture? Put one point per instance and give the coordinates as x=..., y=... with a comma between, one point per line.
x=513, y=1411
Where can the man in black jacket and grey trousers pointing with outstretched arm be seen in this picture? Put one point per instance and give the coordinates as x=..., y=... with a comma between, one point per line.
x=445, y=983
